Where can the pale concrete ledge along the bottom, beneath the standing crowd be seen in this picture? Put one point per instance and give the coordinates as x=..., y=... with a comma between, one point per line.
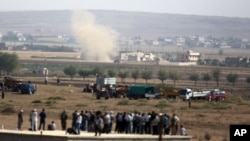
x=6, y=135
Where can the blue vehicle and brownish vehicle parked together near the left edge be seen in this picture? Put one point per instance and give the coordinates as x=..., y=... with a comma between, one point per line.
x=16, y=85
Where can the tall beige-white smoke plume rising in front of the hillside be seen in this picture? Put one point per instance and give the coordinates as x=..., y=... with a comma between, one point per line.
x=97, y=42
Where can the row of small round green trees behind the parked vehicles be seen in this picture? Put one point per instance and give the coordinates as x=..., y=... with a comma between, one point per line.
x=147, y=74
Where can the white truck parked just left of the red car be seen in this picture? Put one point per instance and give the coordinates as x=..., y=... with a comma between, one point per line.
x=186, y=94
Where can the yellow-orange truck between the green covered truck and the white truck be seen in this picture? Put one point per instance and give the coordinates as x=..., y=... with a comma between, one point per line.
x=169, y=93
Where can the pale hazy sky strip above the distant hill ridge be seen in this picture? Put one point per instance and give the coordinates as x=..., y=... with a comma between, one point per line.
x=229, y=8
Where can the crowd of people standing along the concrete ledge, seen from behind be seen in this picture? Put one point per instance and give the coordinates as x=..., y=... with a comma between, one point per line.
x=104, y=122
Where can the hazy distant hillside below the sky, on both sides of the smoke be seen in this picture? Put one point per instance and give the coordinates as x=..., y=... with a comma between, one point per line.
x=149, y=25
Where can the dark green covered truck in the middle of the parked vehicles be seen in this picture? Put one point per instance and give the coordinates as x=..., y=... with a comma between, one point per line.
x=142, y=91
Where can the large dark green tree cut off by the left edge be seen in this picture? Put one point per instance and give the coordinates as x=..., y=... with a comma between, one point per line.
x=8, y=62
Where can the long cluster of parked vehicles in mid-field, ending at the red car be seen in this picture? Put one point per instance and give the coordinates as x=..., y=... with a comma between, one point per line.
x=107, y=88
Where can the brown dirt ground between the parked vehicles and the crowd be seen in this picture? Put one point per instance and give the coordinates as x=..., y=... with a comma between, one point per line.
x=204, y=117
